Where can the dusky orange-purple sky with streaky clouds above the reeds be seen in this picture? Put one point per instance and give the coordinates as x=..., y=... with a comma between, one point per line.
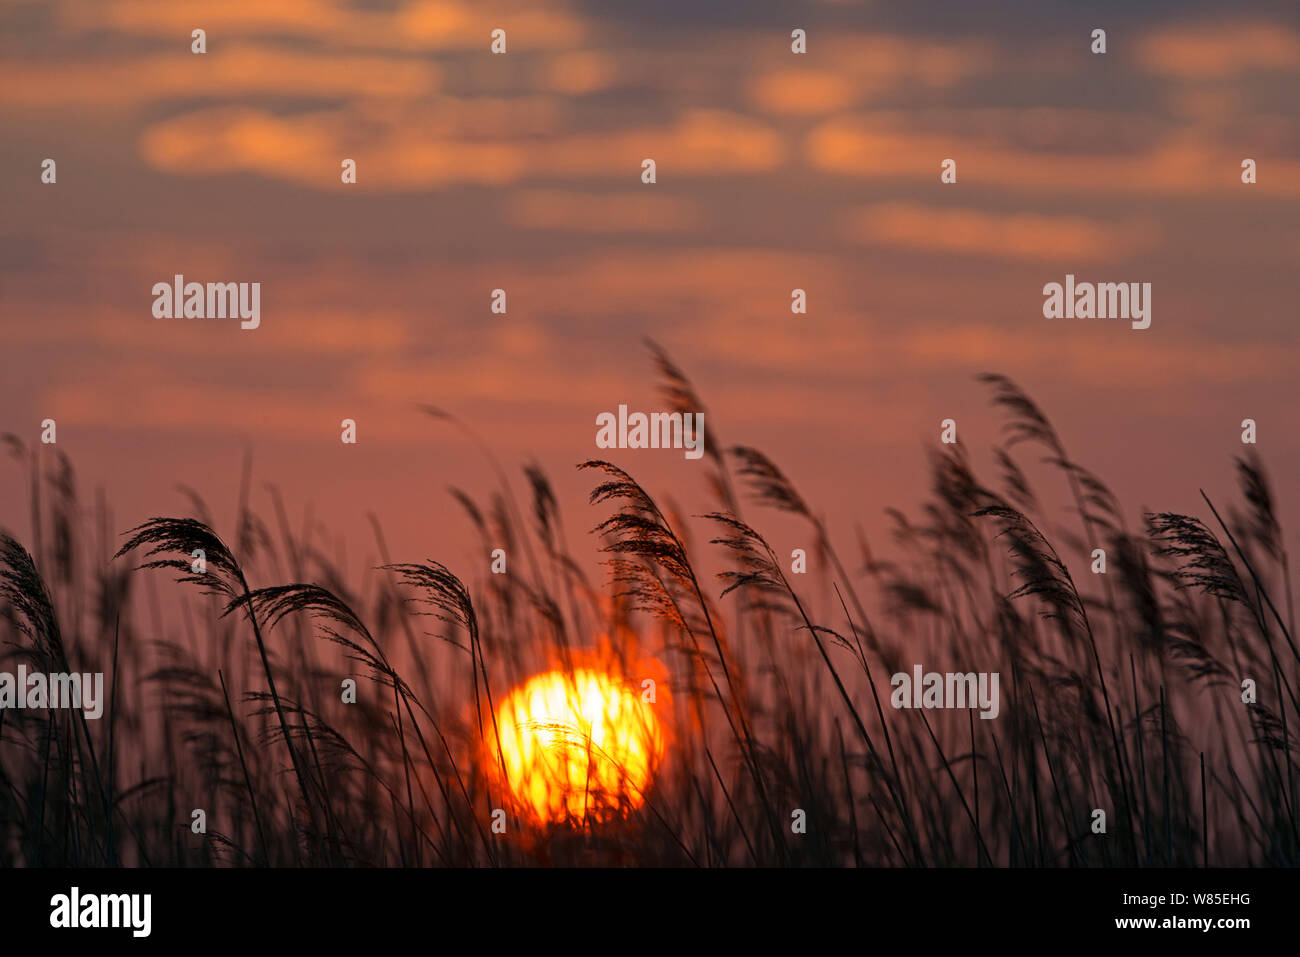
x=775, y=171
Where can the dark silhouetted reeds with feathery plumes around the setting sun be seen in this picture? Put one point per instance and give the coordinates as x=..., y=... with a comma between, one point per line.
x=1121, y=692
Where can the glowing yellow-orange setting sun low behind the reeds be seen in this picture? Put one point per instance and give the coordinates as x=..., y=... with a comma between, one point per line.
x=578, y=747
